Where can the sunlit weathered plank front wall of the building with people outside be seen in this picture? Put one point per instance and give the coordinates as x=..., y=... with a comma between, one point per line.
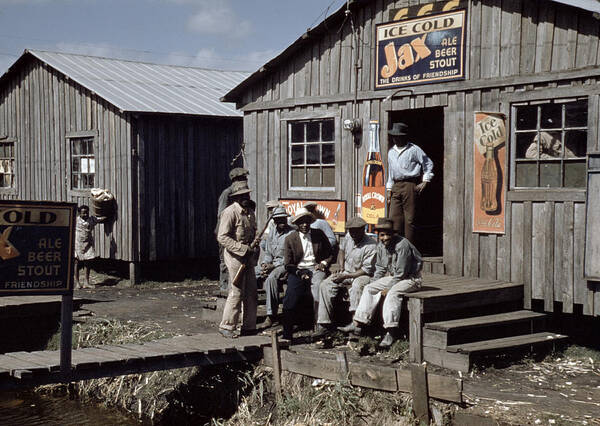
x=514, y=48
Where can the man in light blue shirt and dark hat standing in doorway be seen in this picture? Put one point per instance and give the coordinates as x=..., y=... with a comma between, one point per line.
x=409, y=172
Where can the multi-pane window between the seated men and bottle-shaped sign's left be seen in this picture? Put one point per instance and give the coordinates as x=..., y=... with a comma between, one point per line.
x=312, y=154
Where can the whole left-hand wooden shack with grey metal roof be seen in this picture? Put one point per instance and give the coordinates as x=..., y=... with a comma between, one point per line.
x=156, y=136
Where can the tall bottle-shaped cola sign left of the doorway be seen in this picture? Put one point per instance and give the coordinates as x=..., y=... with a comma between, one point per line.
x=373, y=196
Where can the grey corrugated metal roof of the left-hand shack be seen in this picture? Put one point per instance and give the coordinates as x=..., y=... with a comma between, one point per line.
x=144, y=87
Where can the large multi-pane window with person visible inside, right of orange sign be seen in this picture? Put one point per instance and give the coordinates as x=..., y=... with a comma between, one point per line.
x=550, y=144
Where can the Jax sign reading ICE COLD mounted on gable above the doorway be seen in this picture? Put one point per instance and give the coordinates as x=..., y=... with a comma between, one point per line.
x=422, y=50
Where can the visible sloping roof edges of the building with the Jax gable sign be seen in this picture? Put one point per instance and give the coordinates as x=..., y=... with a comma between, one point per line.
x=329, y=22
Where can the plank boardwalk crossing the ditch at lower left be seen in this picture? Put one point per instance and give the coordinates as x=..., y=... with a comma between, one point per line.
x=27, y=369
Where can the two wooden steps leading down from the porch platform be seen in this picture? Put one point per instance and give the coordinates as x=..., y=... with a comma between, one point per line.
x=455, y=343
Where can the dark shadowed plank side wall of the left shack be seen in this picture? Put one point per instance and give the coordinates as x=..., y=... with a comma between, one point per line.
x=182, y=167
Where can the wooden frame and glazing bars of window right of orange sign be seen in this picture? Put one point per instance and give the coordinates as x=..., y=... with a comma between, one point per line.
x=560, y=100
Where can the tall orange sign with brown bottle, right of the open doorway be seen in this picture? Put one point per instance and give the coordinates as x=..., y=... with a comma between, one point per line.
x=489, y=159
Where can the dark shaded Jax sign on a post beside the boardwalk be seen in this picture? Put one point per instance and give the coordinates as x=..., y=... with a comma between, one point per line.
x=36, y=247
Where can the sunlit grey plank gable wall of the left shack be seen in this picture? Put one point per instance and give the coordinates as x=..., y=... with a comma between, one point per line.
x=40, y=107
